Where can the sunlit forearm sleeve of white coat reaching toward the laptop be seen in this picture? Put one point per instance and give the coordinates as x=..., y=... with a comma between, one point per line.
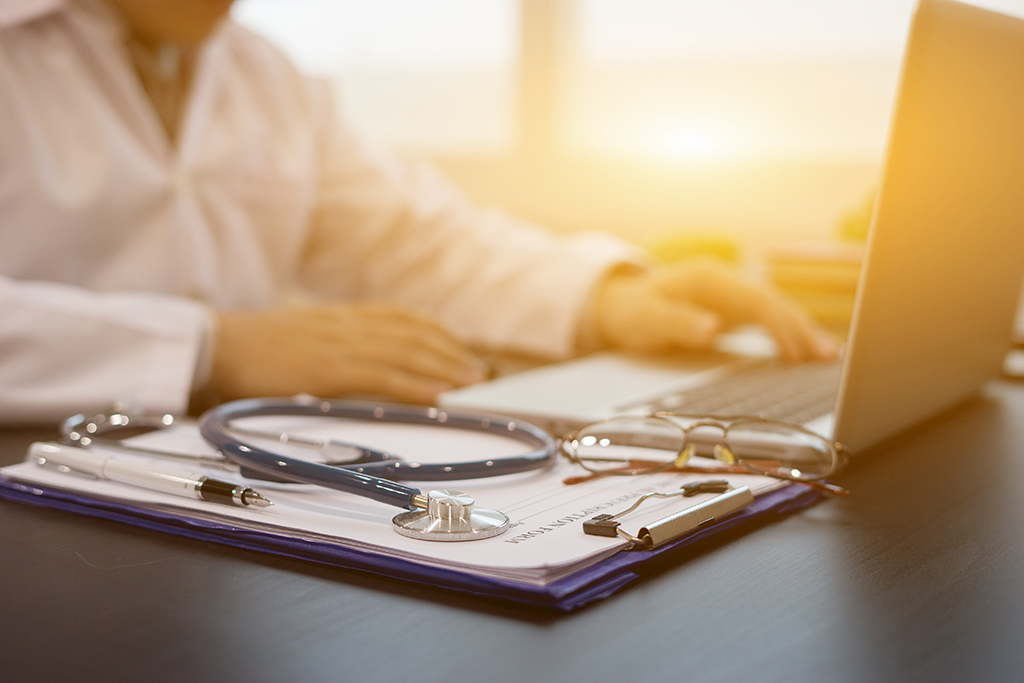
x=389, y=230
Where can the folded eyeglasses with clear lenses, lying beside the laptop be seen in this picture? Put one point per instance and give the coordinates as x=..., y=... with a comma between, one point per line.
x=669, y=443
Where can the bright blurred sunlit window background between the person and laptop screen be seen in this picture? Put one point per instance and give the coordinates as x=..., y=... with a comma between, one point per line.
x=735, y=127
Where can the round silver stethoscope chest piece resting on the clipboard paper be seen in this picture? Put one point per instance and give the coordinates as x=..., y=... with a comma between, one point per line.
x=450, y=516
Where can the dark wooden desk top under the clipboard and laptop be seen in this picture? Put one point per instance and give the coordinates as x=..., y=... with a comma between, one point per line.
x=918, y=577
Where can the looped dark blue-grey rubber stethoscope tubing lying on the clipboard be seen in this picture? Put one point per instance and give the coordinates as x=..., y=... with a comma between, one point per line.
x=368, y=480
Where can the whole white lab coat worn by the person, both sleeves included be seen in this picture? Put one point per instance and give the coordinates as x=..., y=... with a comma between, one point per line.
x=116, y=244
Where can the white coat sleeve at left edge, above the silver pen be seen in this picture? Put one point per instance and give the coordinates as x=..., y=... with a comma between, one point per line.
x=66, y=350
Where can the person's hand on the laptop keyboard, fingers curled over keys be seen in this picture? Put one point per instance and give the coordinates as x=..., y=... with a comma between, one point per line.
x=686, y=307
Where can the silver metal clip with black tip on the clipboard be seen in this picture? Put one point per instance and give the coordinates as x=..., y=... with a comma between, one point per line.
x=681, y=524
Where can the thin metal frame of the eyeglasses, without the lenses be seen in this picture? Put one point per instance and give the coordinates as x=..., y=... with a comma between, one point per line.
x=724, y=423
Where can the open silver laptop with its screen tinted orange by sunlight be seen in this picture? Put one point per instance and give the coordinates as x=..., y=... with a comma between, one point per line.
x=938, y=288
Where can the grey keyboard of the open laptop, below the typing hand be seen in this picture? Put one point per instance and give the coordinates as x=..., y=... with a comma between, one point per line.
x=774, y=391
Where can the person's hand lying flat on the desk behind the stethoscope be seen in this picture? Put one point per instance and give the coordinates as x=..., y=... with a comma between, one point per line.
x=335, y=351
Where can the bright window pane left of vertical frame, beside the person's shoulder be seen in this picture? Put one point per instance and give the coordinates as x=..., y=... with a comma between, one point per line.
x=435, y=76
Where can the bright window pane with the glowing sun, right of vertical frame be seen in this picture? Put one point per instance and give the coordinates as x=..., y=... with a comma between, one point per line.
x=736, y=80
